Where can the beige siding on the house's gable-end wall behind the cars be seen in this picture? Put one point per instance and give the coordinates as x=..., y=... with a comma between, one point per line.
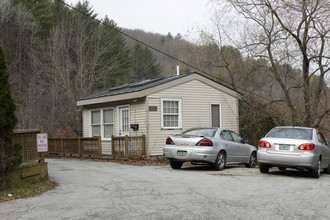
x=197, y=98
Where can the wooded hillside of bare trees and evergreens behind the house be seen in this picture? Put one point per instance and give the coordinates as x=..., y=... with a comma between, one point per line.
x=56, y=55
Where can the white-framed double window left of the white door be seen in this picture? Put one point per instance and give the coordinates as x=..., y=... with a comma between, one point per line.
x=102, y=123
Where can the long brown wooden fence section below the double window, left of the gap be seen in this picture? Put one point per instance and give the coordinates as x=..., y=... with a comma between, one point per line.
x=77, y=146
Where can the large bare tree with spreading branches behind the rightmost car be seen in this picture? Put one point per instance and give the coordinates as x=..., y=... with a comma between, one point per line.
x=292, y=33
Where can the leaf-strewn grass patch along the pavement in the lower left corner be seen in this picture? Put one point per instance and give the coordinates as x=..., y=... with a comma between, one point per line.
x=27, y=190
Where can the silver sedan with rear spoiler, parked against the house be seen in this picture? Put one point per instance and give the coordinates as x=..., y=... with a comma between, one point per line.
x=215, y=146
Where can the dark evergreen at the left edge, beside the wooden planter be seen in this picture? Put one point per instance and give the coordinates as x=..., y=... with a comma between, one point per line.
x=9, y=152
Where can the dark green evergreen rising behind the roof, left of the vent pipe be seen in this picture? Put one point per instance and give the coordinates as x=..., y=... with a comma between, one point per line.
x=145, y=64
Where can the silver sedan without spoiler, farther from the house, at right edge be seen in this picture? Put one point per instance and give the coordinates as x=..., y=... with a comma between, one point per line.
x=294, y=147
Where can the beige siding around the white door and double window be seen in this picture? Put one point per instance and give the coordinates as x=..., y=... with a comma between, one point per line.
x=137, y=116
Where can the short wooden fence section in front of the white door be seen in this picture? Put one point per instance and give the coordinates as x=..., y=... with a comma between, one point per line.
x=128, y=147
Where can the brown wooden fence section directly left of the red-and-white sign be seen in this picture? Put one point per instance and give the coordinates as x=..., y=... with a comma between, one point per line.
x=28, y=140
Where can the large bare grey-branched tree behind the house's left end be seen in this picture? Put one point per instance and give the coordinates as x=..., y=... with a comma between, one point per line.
x=78, y=60
